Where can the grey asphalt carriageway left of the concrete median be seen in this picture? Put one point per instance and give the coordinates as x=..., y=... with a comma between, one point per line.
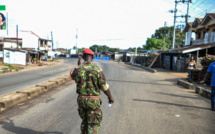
x=16, y=81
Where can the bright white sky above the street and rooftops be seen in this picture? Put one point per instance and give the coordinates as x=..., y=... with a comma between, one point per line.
x=116, y=23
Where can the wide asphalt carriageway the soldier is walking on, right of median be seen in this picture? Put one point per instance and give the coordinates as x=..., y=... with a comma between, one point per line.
x=144, y=103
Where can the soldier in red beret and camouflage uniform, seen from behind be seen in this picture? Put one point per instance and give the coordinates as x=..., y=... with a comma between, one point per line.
x=90, y=80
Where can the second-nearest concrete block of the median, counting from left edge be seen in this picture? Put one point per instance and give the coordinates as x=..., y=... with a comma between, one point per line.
x=32, y=91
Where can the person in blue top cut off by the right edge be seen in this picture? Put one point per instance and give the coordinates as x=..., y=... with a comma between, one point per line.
x=211, y=69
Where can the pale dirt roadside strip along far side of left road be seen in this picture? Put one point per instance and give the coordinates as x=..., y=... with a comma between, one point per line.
x=32, y=67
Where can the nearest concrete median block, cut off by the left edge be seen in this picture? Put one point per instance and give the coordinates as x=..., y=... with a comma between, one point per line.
x=11, y=100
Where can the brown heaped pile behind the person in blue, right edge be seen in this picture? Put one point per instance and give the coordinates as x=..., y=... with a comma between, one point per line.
x=205, y=62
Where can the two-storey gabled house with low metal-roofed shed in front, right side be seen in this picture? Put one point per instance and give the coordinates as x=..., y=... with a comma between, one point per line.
x=199, y=41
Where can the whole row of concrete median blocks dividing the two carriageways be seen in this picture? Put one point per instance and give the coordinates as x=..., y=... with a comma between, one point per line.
x=12, y=99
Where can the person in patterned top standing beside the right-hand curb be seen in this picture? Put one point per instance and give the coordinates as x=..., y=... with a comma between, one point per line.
x=191, y=65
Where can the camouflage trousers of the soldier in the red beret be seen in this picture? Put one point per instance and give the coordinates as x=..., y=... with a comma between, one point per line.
x=90, y=112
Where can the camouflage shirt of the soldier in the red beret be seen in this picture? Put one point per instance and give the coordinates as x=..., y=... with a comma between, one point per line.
x=90, y=79
